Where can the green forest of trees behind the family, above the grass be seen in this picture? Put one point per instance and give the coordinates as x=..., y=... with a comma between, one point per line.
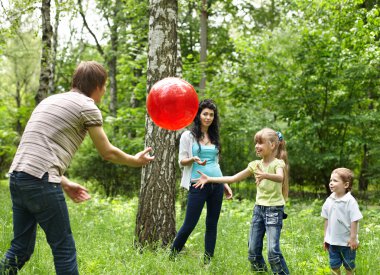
x=307, y=68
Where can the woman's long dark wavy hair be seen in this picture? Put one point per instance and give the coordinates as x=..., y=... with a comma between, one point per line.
x=213, y=130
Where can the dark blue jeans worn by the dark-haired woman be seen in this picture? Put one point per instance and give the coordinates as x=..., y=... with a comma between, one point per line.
x=212, y=195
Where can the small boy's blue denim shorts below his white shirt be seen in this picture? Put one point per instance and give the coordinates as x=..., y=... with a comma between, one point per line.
x=342, y=255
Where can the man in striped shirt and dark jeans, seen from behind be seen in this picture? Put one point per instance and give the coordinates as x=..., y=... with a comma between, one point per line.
x=53, y=134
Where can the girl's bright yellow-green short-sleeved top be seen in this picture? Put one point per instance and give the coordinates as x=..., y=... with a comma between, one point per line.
x=269, y=193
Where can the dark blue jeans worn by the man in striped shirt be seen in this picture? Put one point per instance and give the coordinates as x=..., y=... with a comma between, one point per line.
x=35, y=201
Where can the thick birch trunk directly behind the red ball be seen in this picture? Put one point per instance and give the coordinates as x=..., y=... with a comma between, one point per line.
x=155, y=221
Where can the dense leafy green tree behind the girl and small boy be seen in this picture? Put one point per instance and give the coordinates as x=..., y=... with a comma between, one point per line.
x=317, y=83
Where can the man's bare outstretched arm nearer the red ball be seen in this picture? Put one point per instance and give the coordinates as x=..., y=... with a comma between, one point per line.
x=114, y=154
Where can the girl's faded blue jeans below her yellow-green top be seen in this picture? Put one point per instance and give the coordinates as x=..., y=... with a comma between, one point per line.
x=266, y=219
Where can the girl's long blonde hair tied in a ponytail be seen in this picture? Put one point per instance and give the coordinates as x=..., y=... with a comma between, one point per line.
x=276, y=138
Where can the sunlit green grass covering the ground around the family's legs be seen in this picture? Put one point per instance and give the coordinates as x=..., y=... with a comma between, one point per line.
x=104, y=234
